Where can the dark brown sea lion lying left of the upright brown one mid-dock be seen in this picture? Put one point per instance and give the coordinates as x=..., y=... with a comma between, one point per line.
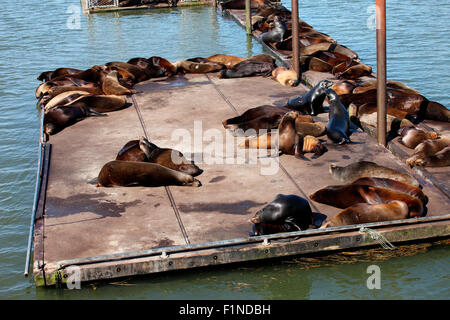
x=262, y=117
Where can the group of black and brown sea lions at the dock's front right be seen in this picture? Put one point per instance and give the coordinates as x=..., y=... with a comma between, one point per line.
x=371, y=193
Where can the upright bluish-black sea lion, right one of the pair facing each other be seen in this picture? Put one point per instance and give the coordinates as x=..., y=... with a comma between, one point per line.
x=338, y=128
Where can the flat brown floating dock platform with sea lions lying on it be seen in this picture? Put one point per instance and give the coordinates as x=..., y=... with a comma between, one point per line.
x=125, y=231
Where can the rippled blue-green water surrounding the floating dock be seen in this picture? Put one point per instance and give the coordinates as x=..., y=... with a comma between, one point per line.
x=35, y=37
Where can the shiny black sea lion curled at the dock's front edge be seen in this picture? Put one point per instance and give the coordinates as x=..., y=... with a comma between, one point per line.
x=285, y=213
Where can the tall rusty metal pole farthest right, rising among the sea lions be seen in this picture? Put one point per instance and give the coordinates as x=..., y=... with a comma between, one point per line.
x=381, y=71
